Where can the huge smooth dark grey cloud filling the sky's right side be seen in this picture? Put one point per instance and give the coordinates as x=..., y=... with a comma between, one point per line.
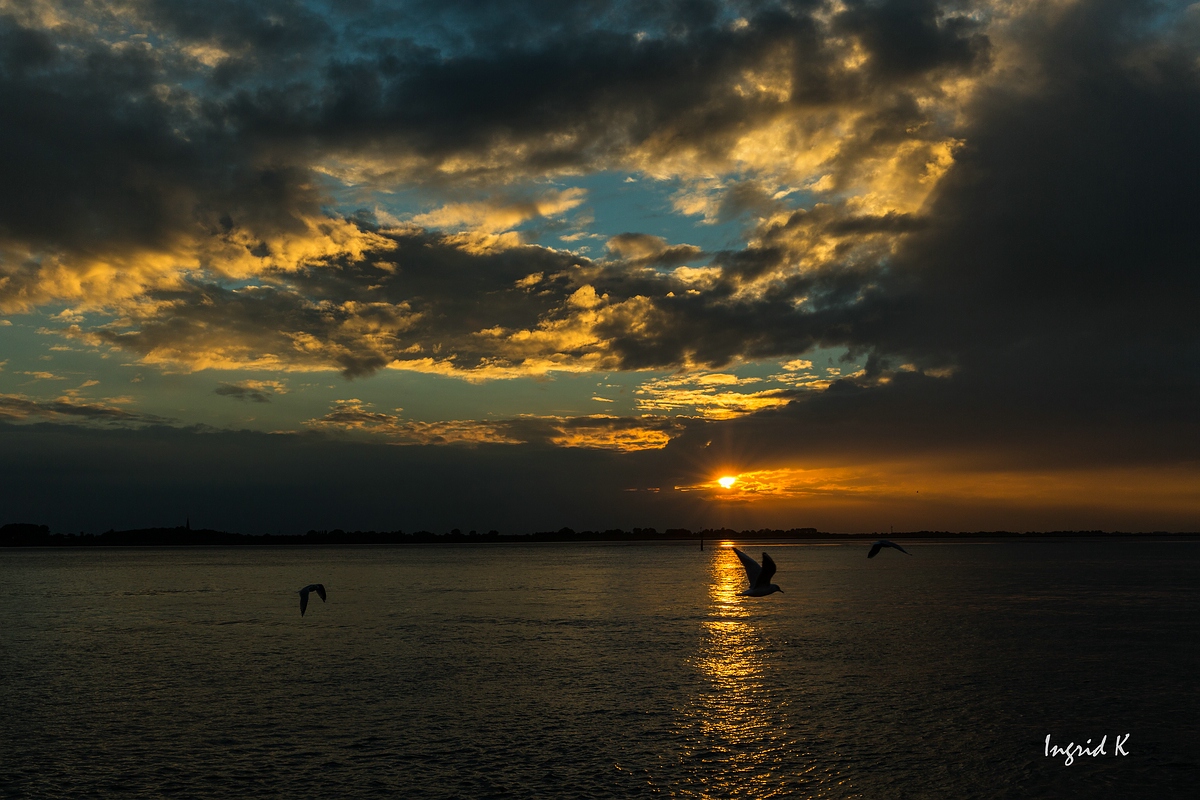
x=1052, y=281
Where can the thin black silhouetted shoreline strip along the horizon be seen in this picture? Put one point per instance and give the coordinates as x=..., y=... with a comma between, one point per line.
x=31, y=536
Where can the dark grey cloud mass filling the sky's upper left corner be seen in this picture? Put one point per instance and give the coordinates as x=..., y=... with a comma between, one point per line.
x=103, y=149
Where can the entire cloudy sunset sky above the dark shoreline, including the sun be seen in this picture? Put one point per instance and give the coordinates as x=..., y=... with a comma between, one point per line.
x=281, y=266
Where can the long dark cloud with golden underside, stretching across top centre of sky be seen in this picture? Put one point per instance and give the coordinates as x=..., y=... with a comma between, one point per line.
x=589, y=97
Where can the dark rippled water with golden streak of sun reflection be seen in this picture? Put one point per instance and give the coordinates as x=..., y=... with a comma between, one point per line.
x=601, y=671
